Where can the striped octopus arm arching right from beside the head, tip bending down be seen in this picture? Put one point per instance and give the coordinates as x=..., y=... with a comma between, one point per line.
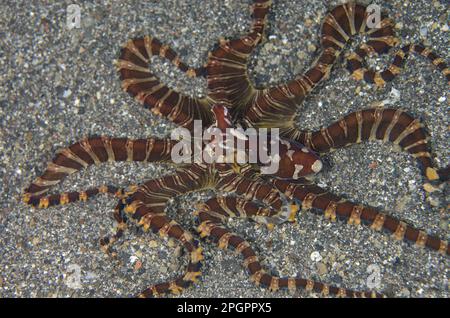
x=384, y=124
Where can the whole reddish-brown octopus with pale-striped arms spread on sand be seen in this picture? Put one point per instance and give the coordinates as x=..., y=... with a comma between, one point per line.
x=231, y=105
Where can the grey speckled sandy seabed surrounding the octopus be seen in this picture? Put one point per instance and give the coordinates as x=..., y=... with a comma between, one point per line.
x=59, y=85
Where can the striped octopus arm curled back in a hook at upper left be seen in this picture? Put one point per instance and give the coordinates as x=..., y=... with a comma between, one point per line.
x=146, y=88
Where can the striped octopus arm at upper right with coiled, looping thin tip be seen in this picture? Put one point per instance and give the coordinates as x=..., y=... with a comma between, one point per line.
x=339, y=27
